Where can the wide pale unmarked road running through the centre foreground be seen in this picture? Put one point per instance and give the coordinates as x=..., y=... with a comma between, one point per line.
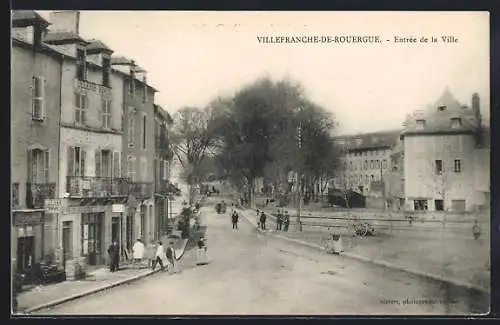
x=257, y=274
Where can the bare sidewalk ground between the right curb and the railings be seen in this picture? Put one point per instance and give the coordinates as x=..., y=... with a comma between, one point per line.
x=458, y=261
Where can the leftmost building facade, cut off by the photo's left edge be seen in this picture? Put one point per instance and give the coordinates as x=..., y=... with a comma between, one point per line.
x=35, y=114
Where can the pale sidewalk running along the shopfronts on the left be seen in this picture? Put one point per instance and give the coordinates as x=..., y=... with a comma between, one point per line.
x=43, y=297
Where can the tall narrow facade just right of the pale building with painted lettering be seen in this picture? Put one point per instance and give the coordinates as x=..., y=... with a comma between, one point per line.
x=138, y=149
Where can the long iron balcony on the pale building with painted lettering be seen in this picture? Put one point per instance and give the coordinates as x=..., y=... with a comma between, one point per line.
x=96, y=187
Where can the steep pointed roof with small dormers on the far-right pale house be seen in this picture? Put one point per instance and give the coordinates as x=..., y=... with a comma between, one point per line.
x=438, y=118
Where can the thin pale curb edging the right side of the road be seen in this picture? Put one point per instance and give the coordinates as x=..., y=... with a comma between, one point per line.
x=386, y=264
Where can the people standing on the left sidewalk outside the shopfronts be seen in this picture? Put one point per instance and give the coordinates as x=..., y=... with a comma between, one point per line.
x=155, y=254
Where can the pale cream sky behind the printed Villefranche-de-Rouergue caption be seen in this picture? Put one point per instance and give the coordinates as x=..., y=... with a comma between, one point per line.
x=192, y=57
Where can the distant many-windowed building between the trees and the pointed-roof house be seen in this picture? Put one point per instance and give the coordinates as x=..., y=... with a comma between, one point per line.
x=365, y=160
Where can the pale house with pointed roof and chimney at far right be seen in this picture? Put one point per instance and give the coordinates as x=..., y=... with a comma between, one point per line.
x=444, y=157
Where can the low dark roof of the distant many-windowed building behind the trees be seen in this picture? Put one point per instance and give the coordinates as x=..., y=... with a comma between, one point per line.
x=367, y=141
